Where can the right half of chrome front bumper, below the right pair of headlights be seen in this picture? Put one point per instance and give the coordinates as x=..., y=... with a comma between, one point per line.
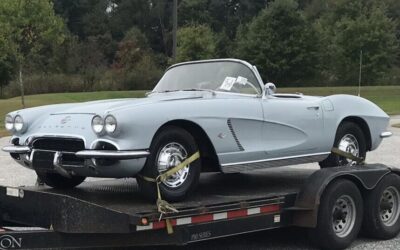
x=112, y=154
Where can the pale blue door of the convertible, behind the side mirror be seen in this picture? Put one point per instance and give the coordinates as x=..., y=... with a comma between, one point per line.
x=292, y=126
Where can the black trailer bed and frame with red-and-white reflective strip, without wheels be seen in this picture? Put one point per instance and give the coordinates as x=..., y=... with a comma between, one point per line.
x=112, y=213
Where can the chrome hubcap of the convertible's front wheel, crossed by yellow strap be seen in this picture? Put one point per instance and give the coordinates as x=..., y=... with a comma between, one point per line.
x=170, y=156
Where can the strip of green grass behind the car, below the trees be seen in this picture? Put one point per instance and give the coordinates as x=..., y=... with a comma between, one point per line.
x=387, y=97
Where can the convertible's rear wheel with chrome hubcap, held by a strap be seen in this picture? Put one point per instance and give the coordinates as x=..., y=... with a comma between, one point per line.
x=349, y=138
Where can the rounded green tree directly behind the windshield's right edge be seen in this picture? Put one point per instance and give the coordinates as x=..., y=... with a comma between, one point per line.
x=281, y=42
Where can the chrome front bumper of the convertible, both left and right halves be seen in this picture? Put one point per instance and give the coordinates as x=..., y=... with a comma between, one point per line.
x=88, y=154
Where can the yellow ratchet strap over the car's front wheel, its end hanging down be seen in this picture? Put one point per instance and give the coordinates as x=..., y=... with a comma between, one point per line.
x=163, y=206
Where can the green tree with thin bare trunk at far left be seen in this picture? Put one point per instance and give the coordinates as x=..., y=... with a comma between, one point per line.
x=32, y=29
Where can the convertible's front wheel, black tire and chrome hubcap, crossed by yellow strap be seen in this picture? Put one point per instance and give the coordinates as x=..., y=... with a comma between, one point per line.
x=169, y=148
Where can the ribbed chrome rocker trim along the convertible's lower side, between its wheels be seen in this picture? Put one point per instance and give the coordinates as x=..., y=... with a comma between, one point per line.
x=276, y=162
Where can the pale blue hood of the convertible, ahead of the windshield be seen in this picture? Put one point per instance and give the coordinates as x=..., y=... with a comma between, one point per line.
x=106, y=106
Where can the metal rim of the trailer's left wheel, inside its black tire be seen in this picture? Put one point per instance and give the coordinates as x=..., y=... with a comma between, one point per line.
x=343, y=216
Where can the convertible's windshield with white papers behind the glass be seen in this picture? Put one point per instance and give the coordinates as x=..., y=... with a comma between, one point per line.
x=227, y=76
